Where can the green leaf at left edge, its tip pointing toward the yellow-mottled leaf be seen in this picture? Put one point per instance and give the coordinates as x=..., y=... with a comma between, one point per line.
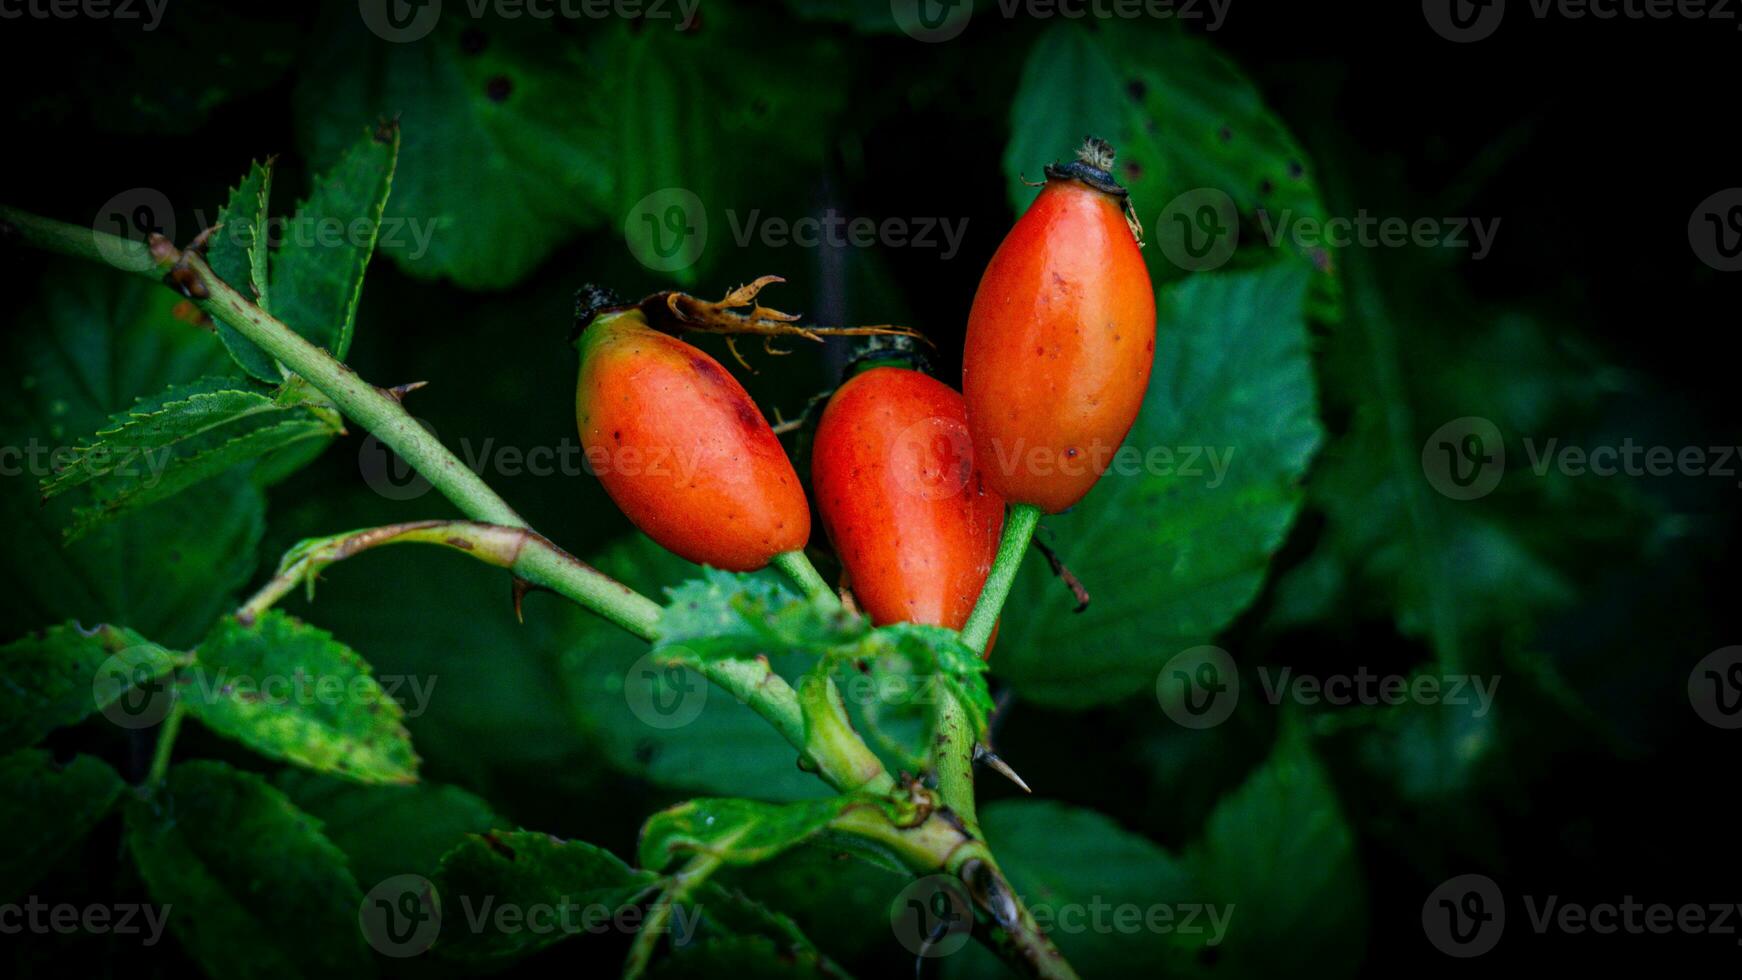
x=65, y=675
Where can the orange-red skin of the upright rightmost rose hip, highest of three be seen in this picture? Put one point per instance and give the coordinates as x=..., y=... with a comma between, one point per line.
x=1058, y=349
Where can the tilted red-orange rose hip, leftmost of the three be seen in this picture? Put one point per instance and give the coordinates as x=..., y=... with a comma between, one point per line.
x=684, y=450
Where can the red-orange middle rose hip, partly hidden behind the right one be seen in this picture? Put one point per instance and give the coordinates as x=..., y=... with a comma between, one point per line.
x=910, y=518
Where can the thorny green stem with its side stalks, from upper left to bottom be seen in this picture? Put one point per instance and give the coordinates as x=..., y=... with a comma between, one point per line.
x=938, y=843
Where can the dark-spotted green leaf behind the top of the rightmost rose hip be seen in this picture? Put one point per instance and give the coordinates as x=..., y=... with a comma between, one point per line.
x=1182, y=119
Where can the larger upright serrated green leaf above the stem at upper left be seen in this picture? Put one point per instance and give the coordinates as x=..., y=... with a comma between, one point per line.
x=318, y=271
